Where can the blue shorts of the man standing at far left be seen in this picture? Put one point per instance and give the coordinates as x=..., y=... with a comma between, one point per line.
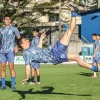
x=7, y=57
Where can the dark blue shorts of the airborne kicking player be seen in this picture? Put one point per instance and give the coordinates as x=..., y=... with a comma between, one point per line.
x=59, y=52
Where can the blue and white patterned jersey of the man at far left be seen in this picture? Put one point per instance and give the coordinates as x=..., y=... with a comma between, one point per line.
x=7, y=36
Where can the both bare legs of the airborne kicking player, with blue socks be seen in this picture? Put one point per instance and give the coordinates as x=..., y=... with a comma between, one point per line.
x=66, y=39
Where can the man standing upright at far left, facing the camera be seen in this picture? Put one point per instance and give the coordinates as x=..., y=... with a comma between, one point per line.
x=7, y=35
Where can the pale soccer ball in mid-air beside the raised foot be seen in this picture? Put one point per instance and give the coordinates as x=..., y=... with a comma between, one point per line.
x=65, y=15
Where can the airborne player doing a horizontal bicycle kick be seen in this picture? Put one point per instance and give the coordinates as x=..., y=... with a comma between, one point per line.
x=55, y=55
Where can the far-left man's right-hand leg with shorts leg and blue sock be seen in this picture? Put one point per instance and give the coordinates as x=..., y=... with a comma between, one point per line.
x=10, y=59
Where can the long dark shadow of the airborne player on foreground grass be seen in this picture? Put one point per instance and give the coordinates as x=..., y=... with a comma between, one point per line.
x=48, y=90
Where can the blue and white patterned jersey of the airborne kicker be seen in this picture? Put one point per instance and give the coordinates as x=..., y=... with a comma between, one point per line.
x=38, y=55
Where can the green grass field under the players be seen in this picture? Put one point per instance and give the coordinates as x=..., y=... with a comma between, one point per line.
x=58, y=82
